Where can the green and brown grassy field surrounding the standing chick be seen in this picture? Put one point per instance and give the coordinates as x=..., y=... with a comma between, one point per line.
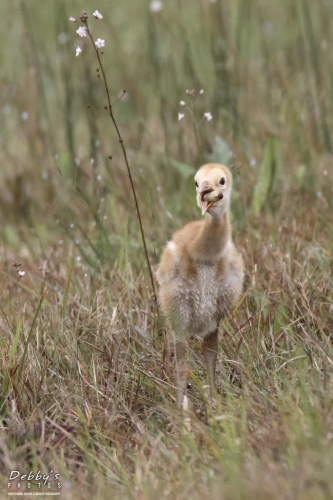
x=86, y=362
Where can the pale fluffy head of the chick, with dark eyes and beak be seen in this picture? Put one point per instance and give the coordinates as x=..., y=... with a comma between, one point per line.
x=217, y=178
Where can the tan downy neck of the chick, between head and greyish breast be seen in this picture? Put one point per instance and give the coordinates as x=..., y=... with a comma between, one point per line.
x=212, y=238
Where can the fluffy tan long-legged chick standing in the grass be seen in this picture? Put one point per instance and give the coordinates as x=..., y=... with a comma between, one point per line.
x=200, y=275
